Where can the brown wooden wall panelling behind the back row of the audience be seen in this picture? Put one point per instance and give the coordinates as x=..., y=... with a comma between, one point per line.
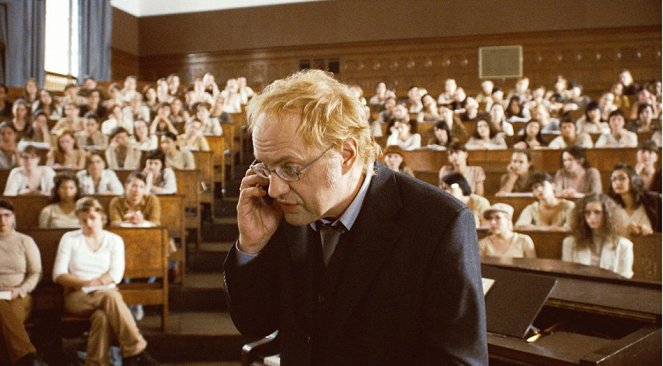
x=592, y=57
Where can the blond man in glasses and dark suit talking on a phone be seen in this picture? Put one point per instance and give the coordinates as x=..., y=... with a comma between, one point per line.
x=395, y=281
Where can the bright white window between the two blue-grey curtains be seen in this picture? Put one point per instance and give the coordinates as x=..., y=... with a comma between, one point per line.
x=61, y=53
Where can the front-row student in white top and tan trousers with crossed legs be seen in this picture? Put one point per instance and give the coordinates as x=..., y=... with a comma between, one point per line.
x=93, y=256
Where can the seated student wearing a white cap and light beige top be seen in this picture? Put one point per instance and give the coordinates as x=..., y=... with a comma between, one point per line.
x=503, y=241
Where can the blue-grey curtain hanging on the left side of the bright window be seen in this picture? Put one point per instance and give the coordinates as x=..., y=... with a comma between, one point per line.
x=22, y=24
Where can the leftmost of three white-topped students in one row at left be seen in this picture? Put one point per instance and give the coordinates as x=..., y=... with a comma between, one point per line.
x=30, y=178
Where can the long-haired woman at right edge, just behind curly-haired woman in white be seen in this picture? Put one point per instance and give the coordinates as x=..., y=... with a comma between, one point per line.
x=643, y=208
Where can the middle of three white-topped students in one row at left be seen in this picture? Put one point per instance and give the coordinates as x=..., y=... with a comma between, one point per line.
x=96, y=179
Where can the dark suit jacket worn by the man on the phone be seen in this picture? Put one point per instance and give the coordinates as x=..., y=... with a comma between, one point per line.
x=402, y=288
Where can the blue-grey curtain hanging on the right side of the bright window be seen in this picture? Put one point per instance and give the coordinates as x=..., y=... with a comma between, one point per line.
x=94, y=36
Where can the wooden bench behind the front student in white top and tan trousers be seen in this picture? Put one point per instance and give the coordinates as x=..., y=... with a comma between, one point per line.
x=146, y=255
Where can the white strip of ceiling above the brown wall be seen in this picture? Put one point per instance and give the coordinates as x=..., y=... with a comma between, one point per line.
x=146, y=8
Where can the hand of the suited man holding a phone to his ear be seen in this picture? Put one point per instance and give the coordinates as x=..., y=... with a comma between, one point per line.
x=256, y=219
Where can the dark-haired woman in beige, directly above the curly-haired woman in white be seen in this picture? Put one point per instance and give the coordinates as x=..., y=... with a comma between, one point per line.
x=576, y=177
